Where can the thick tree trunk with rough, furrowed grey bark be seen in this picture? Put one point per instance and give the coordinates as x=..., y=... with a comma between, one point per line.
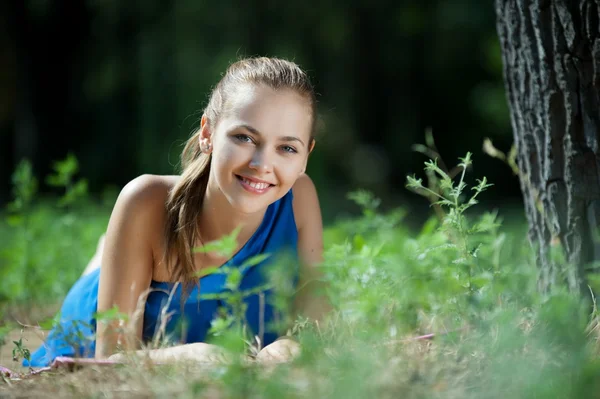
x=551, y=56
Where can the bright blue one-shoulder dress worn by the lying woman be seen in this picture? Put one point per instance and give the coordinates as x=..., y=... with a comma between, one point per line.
x=73, y=334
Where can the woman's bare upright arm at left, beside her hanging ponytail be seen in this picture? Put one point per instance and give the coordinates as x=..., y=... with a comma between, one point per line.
x=127, y=261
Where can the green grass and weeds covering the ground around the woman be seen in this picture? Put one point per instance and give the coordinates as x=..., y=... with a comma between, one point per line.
x=462, y=275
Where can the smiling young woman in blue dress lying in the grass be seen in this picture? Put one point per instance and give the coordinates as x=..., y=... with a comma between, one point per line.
x=244, y=167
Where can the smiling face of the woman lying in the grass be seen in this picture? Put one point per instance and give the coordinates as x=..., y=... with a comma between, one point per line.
x=260, y=146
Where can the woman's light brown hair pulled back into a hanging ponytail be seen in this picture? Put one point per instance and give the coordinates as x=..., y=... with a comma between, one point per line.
x=184, y=202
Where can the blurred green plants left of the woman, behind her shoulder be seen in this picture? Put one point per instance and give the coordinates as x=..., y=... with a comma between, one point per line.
x=46, y=243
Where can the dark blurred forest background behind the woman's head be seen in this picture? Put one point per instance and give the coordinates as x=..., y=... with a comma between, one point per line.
x=127, y=80
